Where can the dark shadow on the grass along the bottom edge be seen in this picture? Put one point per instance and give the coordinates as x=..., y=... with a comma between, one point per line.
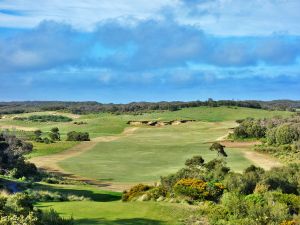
x=133, y=221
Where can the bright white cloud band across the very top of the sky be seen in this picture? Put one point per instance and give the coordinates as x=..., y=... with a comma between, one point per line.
x=221, y=17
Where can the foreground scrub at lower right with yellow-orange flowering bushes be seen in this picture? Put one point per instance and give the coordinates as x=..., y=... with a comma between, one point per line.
x=224, y=197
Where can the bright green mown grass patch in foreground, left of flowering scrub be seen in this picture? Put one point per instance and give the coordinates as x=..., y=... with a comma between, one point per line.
x=117, y=213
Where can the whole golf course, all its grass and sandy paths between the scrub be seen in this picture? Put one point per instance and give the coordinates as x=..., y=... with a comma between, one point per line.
x=120, y=155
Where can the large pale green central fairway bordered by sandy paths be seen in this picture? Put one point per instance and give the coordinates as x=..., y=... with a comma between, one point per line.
x=152, y=152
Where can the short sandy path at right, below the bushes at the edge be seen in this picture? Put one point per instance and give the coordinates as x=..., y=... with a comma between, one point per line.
x=262, y=160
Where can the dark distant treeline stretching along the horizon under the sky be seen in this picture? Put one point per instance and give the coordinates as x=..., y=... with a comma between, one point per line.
x=137, y=107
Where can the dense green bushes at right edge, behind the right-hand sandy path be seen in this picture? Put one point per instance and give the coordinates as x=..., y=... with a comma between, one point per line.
x=279, y=136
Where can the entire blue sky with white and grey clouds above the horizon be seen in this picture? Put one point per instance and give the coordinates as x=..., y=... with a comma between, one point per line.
x=139, y=50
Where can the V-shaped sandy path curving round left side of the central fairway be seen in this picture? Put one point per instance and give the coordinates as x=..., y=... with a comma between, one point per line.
x=50, y=162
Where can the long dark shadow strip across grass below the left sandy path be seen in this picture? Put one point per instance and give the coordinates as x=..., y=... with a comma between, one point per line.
x=101, y=196
